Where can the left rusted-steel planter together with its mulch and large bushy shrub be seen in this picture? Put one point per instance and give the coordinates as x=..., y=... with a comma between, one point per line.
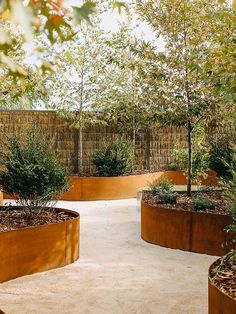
x=34, y=235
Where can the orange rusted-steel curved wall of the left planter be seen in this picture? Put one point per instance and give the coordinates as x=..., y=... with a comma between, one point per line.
x=34, y=249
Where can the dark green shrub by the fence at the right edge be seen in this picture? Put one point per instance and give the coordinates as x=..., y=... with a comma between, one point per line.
x=221, y=157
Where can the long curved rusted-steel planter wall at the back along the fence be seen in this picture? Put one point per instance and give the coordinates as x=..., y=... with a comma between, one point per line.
x=109, y=188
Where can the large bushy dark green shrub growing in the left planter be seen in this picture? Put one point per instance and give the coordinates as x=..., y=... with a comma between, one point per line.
x=31, y=171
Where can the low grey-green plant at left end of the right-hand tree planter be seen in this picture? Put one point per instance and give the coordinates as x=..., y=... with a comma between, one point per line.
x=163, y=189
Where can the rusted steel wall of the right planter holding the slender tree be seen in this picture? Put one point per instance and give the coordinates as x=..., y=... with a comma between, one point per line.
x=185, y=230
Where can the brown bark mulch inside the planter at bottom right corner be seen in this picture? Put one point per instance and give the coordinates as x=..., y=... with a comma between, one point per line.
x=223, y=274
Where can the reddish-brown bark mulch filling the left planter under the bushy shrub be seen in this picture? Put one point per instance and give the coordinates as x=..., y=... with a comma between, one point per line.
x=13, y=218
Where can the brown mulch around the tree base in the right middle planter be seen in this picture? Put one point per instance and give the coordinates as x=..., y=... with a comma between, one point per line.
x=184, y=202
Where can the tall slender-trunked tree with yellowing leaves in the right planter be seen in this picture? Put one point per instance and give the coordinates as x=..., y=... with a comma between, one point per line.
x=187, y=91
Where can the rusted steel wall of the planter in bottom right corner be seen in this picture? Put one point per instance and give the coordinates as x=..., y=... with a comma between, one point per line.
x=218, y=301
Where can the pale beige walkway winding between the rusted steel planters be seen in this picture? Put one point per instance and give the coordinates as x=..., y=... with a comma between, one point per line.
x=118, y=273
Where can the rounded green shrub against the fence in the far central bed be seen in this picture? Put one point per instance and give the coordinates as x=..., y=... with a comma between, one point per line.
x=114, y=159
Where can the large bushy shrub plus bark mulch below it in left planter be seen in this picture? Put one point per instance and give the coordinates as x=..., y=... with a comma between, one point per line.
x=33, y=176
